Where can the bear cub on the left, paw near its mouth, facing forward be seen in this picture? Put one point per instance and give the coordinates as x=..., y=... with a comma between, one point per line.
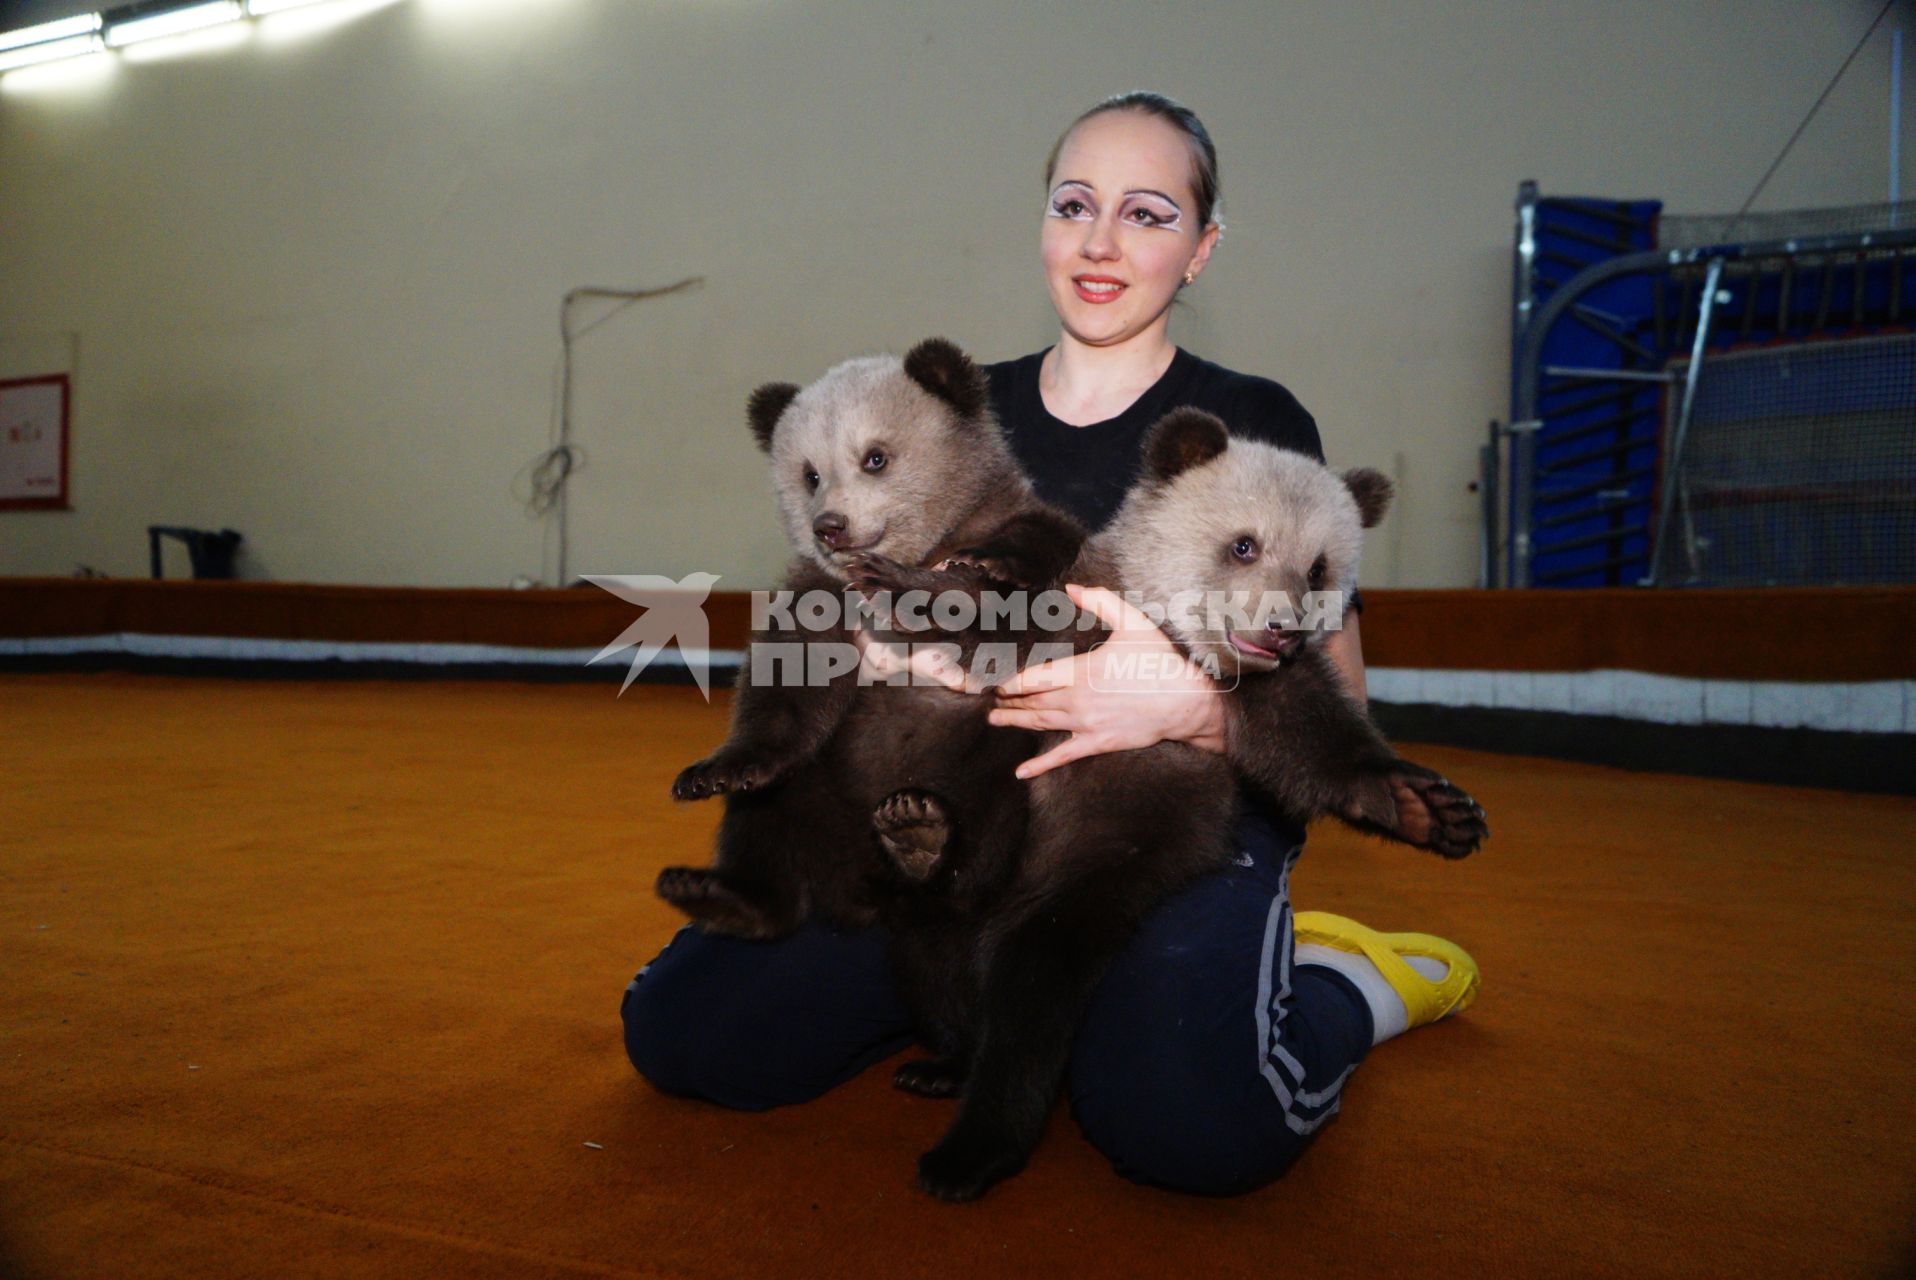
x=896, y=459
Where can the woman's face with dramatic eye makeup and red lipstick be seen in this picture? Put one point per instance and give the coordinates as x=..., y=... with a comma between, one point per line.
x=1122, y=227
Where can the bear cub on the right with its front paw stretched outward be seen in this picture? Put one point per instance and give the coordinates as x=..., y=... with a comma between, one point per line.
x=1110, y=836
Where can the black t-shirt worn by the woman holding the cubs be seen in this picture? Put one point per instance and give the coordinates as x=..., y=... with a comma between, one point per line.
x=1087, y=470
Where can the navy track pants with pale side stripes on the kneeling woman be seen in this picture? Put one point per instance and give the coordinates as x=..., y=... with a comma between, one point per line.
x=1206, y=1064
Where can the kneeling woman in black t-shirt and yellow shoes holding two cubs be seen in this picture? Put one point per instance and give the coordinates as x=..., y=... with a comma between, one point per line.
x=1164, y=1080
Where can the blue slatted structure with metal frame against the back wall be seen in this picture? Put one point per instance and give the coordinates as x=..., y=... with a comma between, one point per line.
x=1597, y=317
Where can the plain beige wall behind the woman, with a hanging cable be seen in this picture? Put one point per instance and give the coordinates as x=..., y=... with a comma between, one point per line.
x=309, y=283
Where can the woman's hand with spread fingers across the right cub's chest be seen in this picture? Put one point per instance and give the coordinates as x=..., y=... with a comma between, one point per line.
x=1133, y=691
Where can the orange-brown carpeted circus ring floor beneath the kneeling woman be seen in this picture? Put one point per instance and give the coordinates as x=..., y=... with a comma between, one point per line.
x=323, y=980
